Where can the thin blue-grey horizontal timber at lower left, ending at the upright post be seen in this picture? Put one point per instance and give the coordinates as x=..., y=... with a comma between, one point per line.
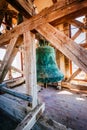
x=23, y=96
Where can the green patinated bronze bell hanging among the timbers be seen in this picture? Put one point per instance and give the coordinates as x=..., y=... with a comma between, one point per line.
x=47, y=69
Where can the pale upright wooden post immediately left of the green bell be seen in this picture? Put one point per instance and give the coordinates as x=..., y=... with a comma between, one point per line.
x=30, y=66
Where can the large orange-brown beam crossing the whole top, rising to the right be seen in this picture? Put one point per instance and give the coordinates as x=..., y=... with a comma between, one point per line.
x=48, y=15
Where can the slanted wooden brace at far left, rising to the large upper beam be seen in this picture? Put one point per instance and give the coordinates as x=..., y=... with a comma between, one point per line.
x=9, y=57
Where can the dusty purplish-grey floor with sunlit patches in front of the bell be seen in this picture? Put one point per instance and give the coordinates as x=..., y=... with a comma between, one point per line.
x=64, y=106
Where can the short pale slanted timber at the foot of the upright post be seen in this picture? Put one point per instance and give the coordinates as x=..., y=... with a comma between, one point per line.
x=31, y=118
